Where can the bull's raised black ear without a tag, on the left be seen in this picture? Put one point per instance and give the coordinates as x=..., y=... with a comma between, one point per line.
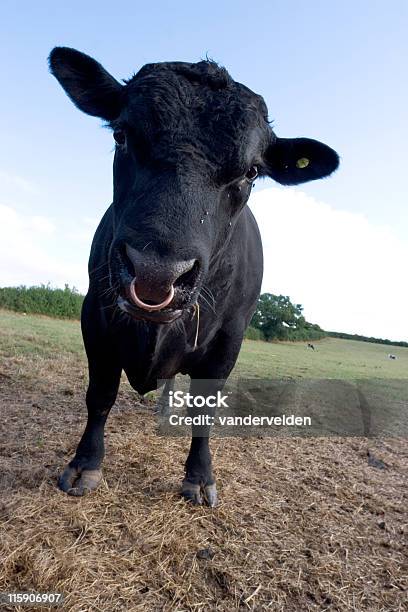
x=91, y=88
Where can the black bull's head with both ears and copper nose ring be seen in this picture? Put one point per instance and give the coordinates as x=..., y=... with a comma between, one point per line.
x=190, y=141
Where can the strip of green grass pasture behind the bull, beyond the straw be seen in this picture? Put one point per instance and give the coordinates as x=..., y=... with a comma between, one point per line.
x=34, y=335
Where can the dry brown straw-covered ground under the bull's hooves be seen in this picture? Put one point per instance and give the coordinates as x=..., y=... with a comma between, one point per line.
x=302, y=524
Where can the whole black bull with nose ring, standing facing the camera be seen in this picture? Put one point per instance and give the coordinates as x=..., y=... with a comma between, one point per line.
x=190, y=141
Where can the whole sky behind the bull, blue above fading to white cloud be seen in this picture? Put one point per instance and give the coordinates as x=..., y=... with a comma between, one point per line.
x=334, y=71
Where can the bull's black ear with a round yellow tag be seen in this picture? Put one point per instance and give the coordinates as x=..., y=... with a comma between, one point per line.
x=291, y=161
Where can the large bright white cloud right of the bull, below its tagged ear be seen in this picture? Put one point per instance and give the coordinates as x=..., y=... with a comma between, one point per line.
x=347, y=272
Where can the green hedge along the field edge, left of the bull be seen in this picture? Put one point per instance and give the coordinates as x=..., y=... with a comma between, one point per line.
x=64, y=303
